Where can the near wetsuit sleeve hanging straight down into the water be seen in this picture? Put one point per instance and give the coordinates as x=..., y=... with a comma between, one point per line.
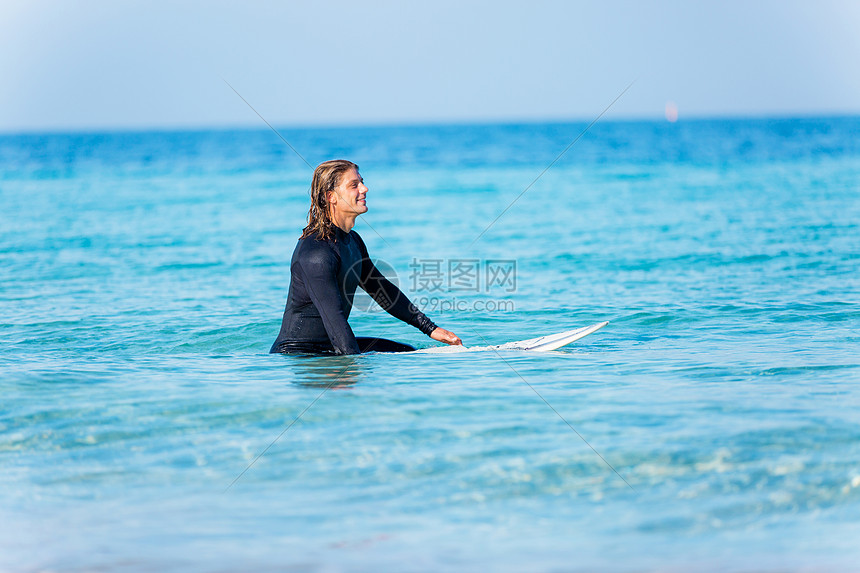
x=318, y=271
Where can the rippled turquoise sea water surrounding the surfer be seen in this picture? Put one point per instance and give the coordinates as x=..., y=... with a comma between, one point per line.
x=142, y=280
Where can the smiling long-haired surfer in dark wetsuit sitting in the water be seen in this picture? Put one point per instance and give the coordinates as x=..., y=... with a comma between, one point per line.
x=329, y=262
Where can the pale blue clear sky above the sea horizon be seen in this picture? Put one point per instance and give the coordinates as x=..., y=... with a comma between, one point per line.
x=127, y=64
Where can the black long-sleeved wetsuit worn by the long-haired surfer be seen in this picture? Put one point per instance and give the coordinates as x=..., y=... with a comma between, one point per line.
x=324, y=276
